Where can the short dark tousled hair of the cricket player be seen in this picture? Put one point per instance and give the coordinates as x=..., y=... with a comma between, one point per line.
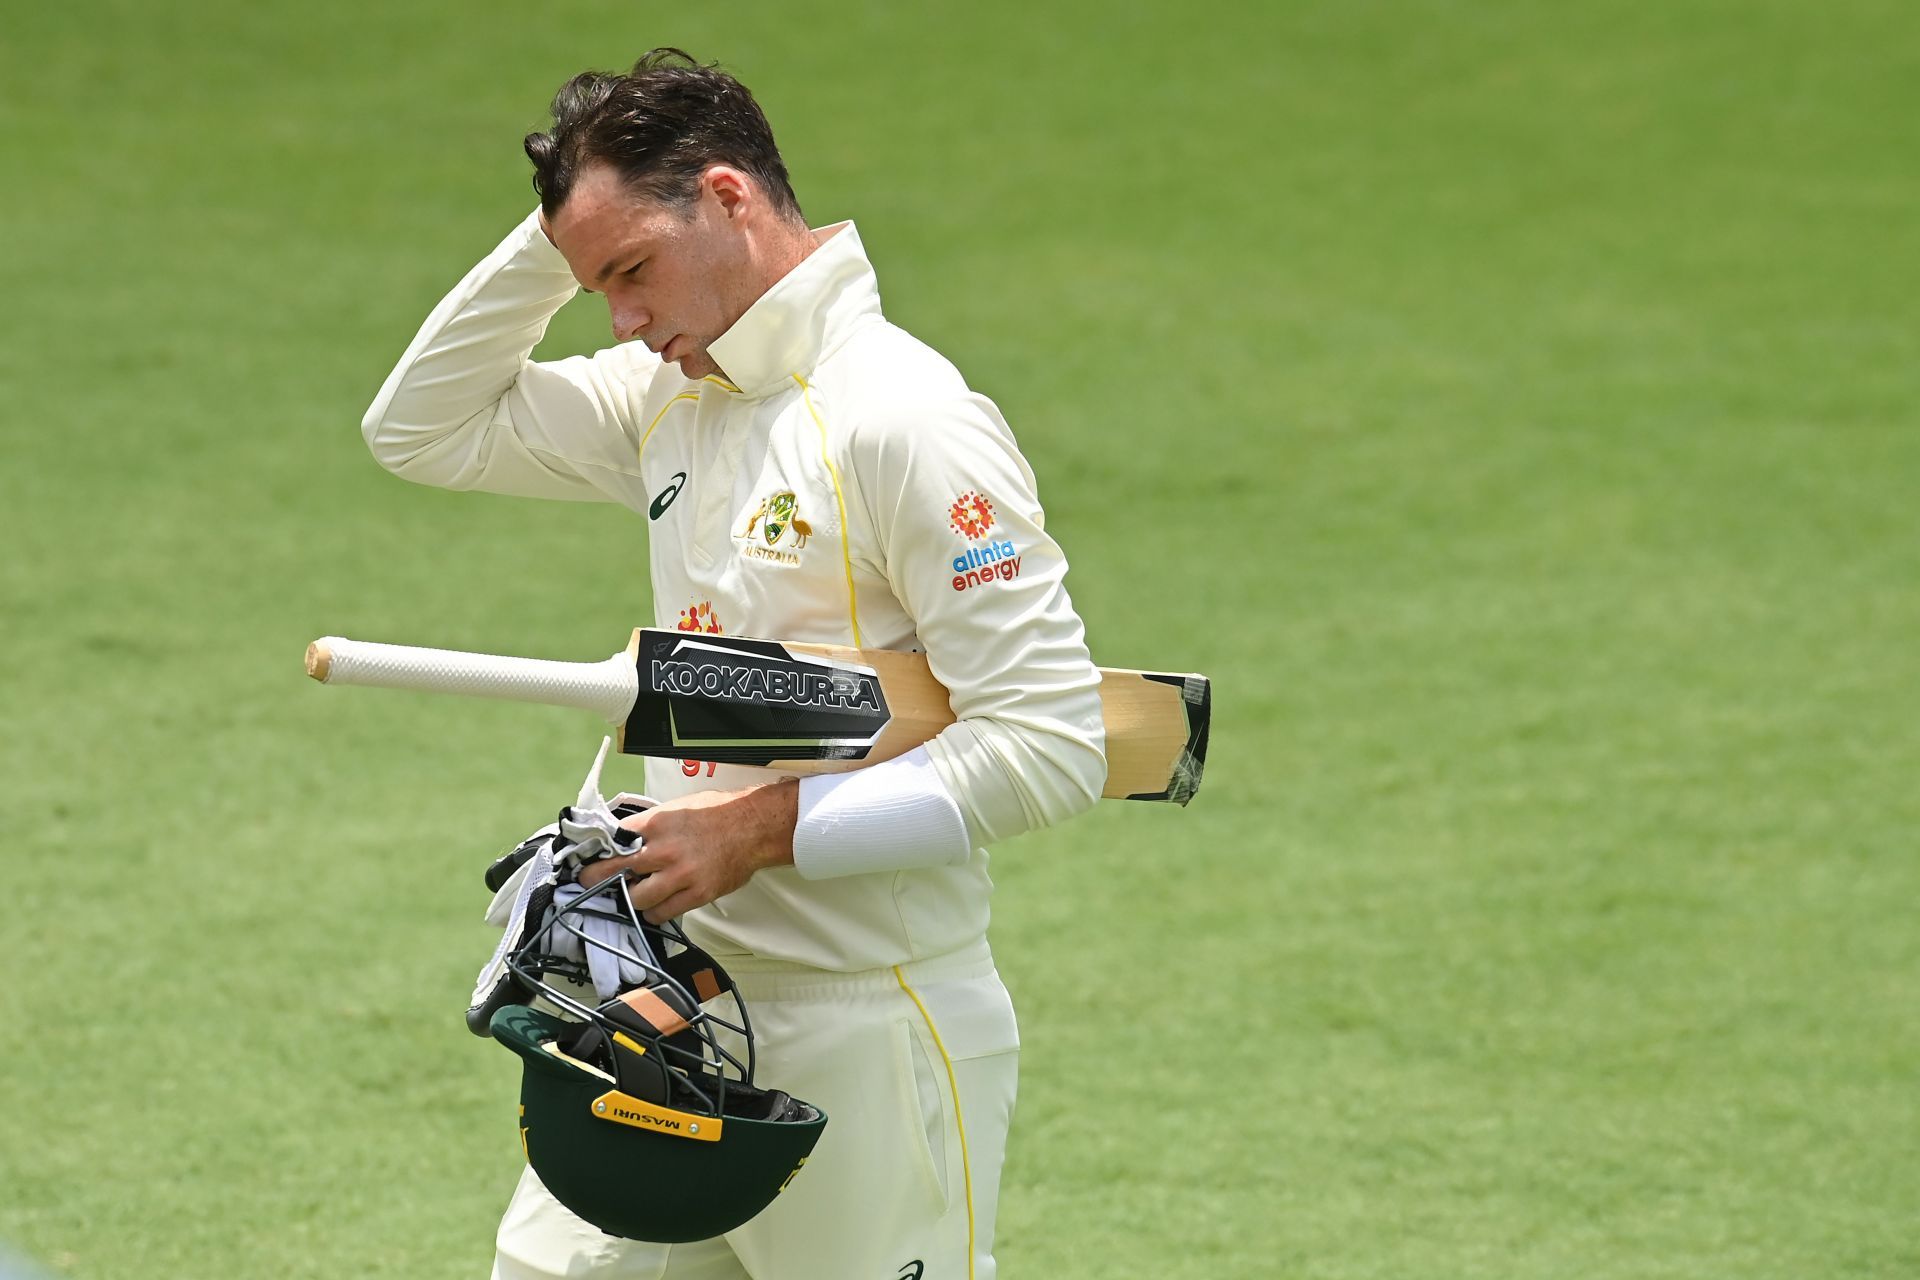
x=660, y=126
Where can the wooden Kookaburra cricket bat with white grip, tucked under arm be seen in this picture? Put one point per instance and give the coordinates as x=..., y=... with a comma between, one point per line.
x=798, y=709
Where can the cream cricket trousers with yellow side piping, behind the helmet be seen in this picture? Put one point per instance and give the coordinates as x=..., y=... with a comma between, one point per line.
x=915, y=1068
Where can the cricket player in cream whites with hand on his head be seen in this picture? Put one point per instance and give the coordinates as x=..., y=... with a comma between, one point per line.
x=804, y=471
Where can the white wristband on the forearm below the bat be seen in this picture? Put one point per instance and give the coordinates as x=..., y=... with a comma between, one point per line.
x=886, y=818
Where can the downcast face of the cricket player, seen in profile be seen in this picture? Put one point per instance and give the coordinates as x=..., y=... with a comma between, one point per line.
x=675, y=279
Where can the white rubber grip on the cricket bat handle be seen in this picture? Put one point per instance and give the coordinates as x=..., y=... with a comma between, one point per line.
x=608, y=688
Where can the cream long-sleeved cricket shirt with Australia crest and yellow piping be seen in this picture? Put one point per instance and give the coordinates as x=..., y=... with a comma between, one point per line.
x=840, y=485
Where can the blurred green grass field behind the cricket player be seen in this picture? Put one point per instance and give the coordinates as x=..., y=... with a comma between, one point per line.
x=1510, y=406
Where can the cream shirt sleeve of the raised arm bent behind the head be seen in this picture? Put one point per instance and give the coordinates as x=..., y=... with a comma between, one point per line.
x=468, y=410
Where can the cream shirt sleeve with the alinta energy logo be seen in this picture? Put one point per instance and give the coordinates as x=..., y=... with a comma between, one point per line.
x=961, y=529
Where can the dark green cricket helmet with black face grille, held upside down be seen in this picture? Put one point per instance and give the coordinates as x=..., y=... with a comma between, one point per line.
x=635, y=1112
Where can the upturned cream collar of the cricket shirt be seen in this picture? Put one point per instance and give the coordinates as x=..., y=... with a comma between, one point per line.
x=804, y=318
